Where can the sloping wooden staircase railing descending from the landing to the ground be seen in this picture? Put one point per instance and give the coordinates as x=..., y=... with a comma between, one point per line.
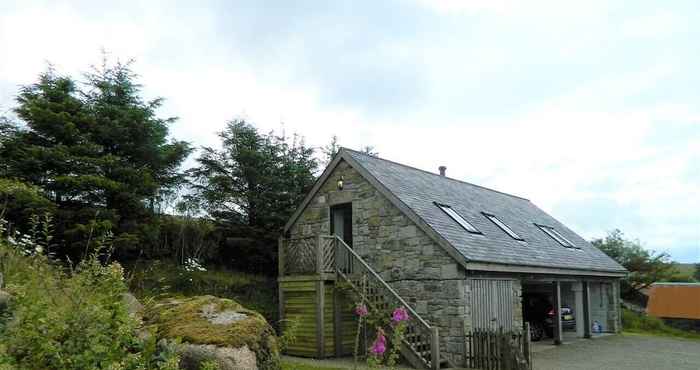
x=421, y=341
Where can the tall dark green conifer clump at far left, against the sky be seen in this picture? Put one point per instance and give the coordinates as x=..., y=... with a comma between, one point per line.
x=100, y=153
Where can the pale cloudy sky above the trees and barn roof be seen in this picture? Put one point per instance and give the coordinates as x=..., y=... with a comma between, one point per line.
x=589, y=109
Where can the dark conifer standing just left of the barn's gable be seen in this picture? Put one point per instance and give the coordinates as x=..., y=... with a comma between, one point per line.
x=251, y=187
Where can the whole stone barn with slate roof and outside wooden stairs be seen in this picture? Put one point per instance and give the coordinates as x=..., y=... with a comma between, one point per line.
x=457, y=256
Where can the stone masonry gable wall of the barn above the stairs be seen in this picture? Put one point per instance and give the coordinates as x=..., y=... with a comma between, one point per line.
x=416, y=267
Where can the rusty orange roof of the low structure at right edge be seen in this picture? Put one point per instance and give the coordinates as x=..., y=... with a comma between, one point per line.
x=675, y=301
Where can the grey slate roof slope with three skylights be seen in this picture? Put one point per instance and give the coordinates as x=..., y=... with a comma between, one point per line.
x=419, y=189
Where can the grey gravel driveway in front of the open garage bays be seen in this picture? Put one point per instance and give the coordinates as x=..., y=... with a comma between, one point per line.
x=623, y=352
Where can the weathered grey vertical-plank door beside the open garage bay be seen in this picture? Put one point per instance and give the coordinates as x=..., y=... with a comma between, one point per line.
x=492, y=304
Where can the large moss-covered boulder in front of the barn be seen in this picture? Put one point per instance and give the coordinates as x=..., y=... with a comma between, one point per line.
x=215, y=329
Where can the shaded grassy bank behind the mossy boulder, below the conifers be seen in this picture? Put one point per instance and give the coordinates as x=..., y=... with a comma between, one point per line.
x=157, y=278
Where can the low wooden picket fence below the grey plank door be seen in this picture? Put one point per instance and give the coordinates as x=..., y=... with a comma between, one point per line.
x=498, y=349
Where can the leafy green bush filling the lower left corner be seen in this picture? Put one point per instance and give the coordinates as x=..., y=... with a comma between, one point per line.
x=73, y=319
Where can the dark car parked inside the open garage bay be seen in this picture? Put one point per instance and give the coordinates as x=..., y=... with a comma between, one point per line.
x=538, y=310
